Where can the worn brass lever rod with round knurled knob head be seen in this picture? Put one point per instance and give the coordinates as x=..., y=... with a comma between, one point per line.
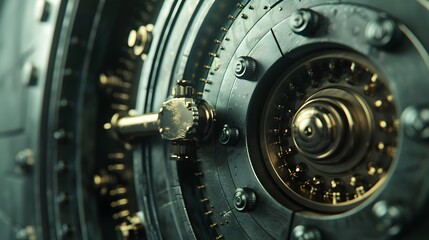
x=182, y=120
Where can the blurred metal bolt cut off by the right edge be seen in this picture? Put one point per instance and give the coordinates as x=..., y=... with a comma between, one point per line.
x=416, y=122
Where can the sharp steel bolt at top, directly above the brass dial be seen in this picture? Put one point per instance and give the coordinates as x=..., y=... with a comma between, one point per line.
x=304, y=22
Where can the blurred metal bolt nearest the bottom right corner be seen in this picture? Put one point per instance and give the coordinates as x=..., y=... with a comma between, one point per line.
x=390, y=218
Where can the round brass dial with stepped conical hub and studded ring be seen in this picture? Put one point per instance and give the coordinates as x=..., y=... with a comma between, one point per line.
x=319, y=131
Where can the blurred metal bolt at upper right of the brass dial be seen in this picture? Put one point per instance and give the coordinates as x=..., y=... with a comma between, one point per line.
x=381, y=32
